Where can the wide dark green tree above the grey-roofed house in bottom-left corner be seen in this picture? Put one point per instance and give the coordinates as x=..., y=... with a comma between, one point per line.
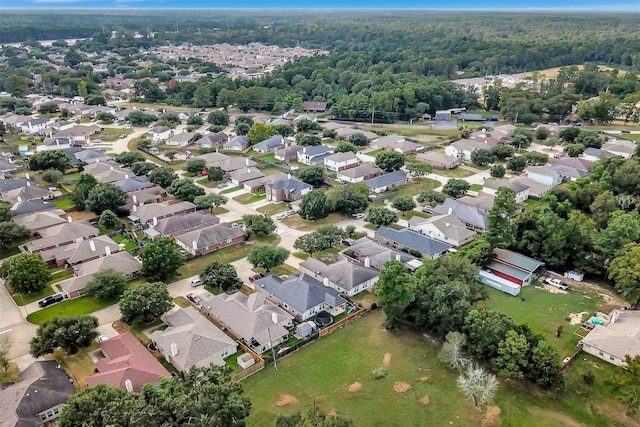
x=70, y=333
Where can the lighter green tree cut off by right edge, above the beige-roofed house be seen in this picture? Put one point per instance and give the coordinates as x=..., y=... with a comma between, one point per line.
x=625, y=272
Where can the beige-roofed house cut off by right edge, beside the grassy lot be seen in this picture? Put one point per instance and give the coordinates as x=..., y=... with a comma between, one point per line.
x=617, y=337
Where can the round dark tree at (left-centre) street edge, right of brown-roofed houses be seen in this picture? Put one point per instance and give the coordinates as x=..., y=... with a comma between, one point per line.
x=160, y=259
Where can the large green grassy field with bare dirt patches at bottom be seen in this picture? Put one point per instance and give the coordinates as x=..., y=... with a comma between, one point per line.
x=325, y=370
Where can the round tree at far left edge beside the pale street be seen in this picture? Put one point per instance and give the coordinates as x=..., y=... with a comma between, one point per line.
x=26, y=273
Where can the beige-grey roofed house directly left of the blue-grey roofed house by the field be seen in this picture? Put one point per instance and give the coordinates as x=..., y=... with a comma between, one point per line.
x=252, y=319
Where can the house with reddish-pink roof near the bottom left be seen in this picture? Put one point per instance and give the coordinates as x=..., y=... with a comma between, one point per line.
x=127, y=364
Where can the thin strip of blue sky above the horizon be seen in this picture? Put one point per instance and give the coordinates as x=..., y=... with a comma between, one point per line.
x=582, y=5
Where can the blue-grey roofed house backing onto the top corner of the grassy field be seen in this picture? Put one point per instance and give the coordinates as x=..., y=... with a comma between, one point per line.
x=301, y=294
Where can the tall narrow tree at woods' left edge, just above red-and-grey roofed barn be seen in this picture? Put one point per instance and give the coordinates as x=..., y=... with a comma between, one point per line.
x=501, y=229
